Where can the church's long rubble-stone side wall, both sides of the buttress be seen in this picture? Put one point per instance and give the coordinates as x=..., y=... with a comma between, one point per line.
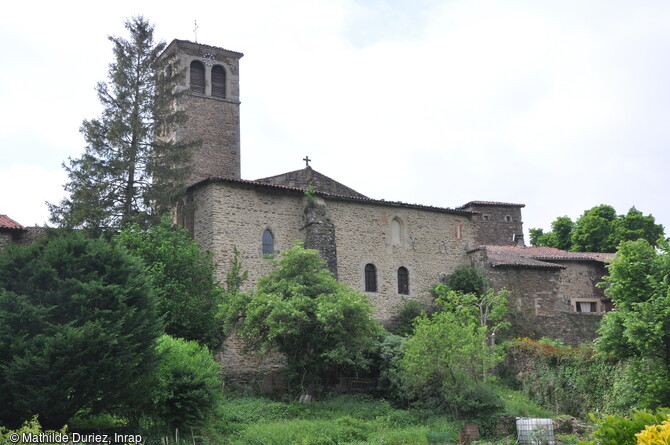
x=228, y=214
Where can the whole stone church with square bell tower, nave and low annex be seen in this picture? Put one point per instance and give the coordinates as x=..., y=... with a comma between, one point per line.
x=391, y=251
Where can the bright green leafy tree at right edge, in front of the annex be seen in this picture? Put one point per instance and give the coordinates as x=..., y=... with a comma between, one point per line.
x=638, y=329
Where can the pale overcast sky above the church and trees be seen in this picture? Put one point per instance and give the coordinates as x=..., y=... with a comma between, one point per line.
x=559, y=105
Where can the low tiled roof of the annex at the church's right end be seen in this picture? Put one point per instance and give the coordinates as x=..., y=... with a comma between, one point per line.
x=537, y=257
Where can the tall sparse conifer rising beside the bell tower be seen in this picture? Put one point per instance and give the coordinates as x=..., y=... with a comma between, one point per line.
x=133, y=169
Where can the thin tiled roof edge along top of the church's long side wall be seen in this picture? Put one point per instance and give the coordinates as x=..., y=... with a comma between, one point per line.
x=299, y=190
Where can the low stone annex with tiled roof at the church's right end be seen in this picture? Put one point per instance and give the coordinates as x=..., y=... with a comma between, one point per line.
x=555, y=289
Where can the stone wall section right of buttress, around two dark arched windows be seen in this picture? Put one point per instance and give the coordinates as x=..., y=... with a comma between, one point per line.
x=432, y=243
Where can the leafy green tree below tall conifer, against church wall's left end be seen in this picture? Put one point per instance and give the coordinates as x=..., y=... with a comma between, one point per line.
x=184, y=279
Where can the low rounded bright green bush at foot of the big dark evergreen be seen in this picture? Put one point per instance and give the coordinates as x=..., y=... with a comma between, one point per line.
x=186, y=386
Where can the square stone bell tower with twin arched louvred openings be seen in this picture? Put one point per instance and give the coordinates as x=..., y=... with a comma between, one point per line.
x=212, y=104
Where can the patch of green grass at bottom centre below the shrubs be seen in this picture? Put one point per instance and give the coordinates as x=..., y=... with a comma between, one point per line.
x=337, y=420
